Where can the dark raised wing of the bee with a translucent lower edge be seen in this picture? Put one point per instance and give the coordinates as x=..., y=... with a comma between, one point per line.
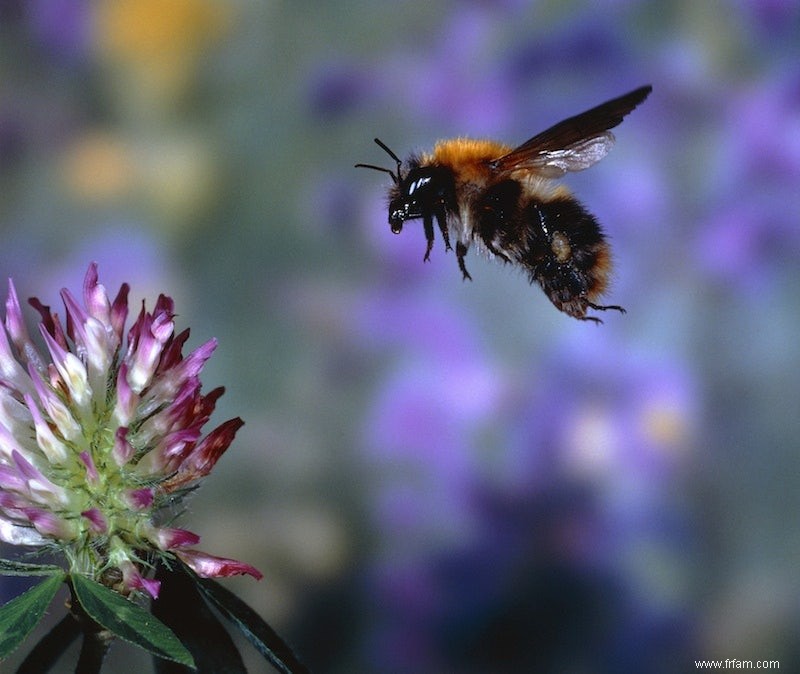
x=574, y=144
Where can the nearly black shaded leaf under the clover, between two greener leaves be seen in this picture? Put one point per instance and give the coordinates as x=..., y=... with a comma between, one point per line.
x=183, y=609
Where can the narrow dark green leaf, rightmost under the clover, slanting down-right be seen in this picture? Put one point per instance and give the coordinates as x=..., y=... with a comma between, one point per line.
x=274, y=649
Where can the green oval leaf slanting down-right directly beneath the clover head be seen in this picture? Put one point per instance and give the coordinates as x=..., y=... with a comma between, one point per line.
x=128, y=621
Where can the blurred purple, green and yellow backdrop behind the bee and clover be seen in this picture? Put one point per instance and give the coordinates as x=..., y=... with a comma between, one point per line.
x=440, y=476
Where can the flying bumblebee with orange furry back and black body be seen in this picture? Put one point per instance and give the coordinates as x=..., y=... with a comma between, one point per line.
x=506, y=201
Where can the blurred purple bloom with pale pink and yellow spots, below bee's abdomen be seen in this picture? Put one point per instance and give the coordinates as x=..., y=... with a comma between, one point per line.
x=600, y=413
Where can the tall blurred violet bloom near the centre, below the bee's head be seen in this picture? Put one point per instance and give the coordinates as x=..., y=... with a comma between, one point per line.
x=419, y=435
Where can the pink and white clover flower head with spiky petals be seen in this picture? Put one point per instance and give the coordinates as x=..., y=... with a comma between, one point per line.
x=101, y=437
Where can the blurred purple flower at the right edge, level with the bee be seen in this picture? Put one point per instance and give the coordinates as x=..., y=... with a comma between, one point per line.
x=752, y=223
